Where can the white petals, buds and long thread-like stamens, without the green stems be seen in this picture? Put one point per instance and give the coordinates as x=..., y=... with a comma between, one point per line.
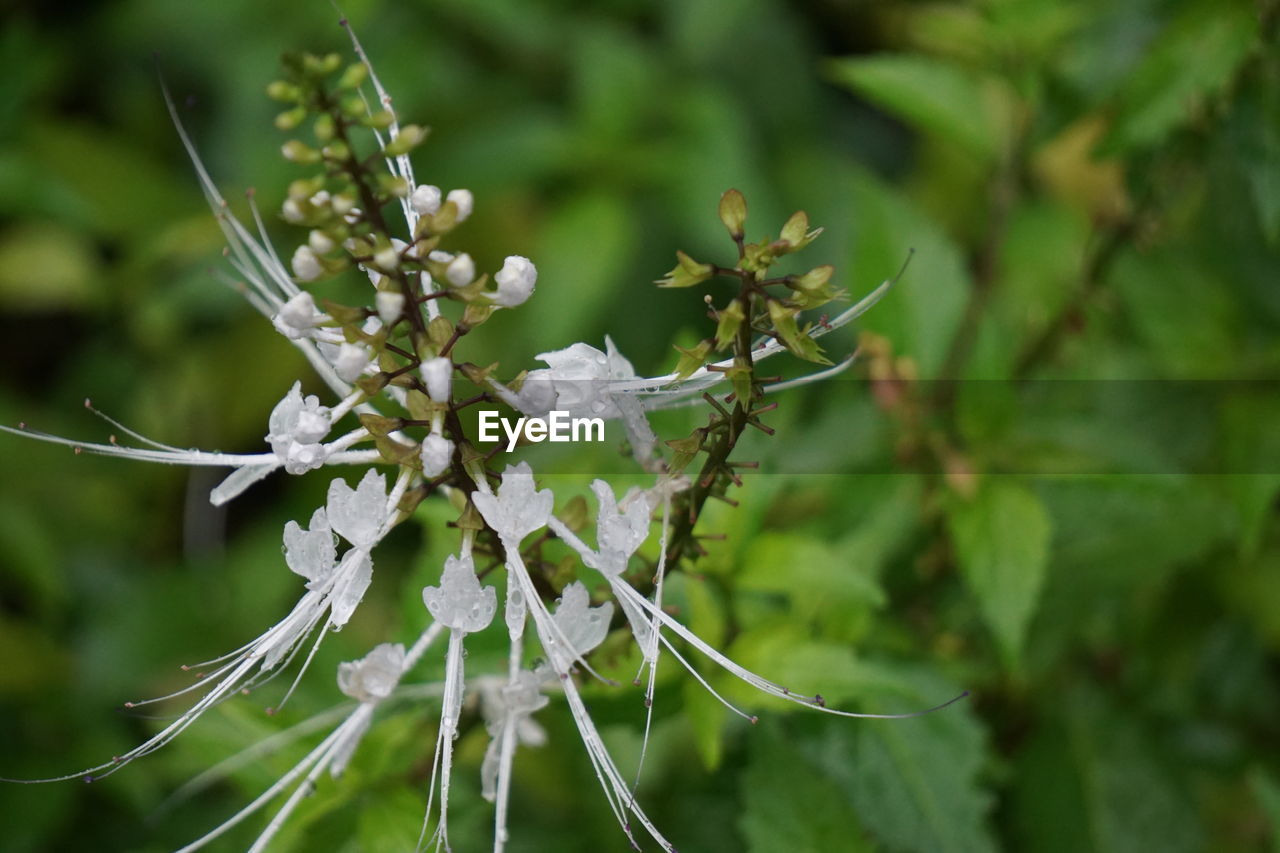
x=579, y=378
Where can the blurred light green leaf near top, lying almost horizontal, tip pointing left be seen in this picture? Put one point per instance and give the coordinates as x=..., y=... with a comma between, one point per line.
x=935, y=95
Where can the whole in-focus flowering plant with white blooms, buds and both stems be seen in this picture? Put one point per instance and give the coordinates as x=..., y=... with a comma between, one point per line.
x=401, y=352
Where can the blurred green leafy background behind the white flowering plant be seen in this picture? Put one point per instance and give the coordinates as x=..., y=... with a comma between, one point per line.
x=1052, y=480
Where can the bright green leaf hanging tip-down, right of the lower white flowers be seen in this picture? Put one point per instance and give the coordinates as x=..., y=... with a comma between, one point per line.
x=1002, y=540
